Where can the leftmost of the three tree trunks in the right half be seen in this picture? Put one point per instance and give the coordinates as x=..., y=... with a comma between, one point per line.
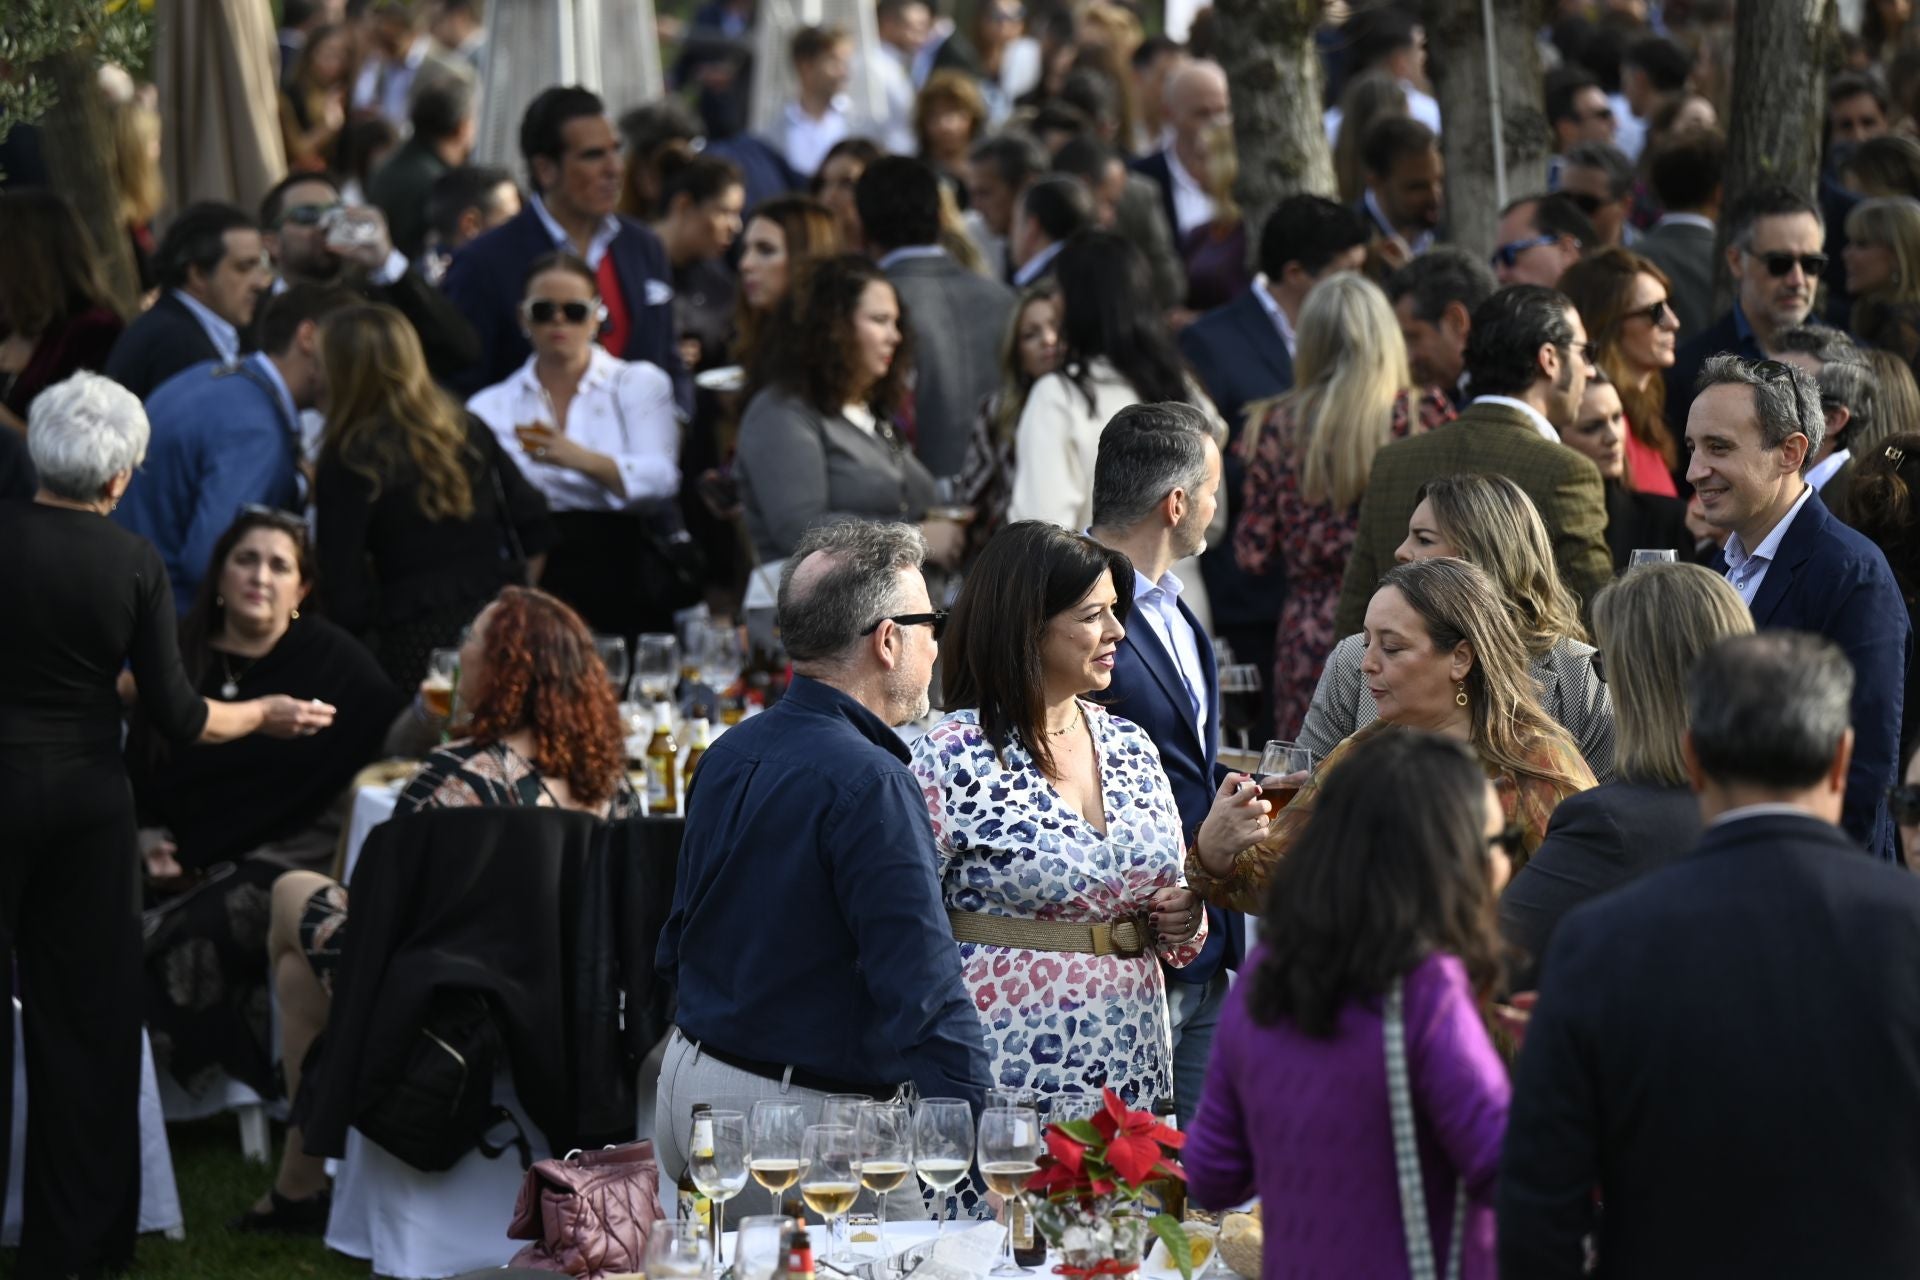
x=1268, y=53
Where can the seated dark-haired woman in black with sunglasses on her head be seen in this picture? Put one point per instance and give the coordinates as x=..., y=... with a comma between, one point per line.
x=226, y=822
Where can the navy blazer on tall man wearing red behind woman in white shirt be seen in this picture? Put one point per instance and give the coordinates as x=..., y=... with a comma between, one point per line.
x=487, y=281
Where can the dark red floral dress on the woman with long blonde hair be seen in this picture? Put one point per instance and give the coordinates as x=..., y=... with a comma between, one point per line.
x=1316, y=542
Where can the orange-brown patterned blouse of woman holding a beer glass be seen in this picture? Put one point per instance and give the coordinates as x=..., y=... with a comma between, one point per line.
x=1527, y=801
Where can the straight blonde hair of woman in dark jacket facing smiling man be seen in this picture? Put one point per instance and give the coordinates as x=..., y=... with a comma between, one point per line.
x=1654, y=625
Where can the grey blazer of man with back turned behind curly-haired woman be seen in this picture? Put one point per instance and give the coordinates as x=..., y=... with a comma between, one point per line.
x=959, y=321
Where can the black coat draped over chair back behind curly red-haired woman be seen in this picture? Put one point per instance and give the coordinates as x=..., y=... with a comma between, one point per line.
x=552, y=914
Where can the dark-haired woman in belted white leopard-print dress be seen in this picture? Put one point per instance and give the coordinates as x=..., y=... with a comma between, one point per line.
x=1057, y=828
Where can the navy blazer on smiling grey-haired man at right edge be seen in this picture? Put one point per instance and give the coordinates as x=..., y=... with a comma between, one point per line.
x=1835, y=582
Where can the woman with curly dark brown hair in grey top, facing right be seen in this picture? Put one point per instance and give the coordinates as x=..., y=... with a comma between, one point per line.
x=821, y=442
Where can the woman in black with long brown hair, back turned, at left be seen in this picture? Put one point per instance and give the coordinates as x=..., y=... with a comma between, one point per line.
x=421, y=517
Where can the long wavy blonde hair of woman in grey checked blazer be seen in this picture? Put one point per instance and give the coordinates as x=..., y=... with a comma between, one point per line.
x=1497, y=527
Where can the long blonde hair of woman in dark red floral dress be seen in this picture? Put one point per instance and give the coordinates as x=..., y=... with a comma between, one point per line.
x=1351, y=369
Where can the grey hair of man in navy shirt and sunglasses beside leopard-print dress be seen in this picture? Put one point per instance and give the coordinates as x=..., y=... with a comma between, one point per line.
x=861, y=584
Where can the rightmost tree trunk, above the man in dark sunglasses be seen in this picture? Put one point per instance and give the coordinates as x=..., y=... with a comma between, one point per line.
x=1783, y=53
